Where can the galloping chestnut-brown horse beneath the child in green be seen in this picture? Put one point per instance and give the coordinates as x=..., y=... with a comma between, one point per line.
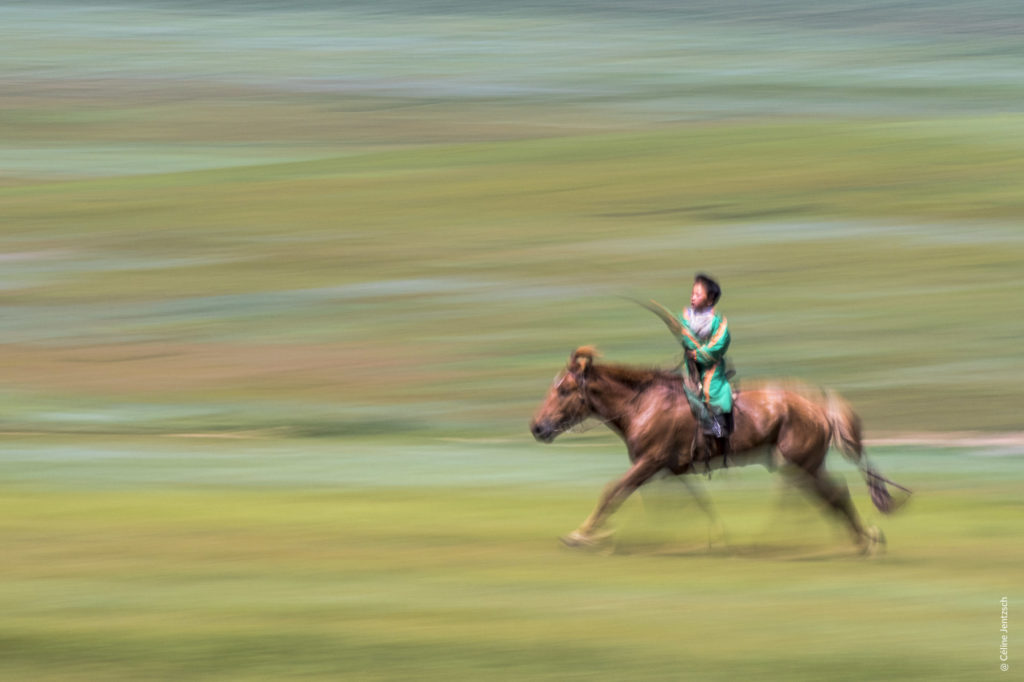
x=650, y=411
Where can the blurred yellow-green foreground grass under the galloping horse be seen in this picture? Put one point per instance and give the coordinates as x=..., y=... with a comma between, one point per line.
x=165, y=568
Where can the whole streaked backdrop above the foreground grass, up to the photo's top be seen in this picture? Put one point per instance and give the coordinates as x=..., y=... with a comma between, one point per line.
x=364, y=218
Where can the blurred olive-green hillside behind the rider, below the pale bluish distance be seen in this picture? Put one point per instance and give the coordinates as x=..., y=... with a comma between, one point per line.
x=462, y=277
